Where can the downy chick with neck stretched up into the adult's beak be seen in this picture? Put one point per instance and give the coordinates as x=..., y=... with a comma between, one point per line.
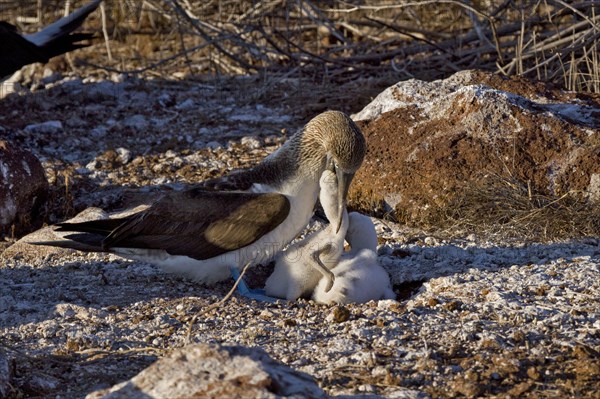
x=299, y=268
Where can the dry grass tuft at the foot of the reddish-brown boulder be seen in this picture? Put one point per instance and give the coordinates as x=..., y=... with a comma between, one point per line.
x=504, y=207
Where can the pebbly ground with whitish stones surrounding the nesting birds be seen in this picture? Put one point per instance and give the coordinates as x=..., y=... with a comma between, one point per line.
x=474, y=316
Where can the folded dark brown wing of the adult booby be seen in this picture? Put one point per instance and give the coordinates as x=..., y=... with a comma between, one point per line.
x=199, y=223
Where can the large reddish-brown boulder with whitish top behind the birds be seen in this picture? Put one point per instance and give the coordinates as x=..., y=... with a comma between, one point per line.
x=429, y=142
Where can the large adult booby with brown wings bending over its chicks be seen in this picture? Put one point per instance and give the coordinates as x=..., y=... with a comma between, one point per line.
x=246, y=216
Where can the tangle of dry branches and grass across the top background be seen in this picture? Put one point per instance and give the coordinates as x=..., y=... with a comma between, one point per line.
x=338, y=41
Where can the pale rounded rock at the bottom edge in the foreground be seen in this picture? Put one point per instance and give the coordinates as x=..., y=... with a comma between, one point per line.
x=213, y=371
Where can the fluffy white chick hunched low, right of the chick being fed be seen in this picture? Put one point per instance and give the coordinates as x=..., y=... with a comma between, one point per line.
x=358, y=276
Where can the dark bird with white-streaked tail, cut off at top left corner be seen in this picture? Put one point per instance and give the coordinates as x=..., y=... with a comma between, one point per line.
x=17, y=50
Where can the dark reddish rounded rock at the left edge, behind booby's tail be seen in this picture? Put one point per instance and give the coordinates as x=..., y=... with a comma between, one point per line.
x=23, y=189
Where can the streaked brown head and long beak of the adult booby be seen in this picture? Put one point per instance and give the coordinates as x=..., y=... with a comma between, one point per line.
x=345, y=149
